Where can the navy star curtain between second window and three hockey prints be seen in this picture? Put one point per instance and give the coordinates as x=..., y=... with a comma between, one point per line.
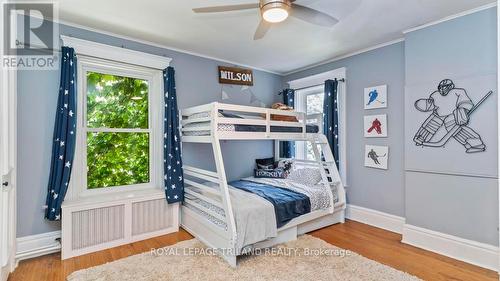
x=331, y=117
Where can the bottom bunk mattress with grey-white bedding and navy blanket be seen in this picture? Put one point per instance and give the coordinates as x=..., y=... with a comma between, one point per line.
x=257, y=218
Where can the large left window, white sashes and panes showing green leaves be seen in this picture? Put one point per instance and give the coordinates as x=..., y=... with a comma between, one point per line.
x=119, y=138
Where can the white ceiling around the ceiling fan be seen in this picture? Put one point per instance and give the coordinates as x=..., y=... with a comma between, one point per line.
x=288, y=46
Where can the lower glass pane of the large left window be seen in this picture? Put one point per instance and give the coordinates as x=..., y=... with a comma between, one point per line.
x=116, y=159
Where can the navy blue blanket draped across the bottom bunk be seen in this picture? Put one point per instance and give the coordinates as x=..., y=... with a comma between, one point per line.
x=288, y=204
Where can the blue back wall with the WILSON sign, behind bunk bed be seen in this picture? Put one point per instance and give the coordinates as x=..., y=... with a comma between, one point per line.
x=197, y=83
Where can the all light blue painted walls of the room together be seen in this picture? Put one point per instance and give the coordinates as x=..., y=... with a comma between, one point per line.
x=463, y=48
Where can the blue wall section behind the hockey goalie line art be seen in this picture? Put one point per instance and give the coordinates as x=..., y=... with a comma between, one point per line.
x=464, y=50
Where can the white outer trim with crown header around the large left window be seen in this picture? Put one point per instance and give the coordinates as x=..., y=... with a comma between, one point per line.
x=89, y=51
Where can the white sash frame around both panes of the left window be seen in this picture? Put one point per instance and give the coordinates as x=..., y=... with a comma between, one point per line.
x=154, y=77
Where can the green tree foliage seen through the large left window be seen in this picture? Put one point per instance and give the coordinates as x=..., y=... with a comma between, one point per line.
x=117, y=158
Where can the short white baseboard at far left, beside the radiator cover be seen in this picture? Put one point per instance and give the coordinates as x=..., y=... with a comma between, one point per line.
x=38, y=245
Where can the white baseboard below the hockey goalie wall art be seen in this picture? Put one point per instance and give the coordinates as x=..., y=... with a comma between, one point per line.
x=480, y=254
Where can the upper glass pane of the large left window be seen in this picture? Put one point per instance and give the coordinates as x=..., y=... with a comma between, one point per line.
x=116, y=101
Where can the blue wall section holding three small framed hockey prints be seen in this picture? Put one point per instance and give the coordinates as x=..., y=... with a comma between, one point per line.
x=367, y=187
